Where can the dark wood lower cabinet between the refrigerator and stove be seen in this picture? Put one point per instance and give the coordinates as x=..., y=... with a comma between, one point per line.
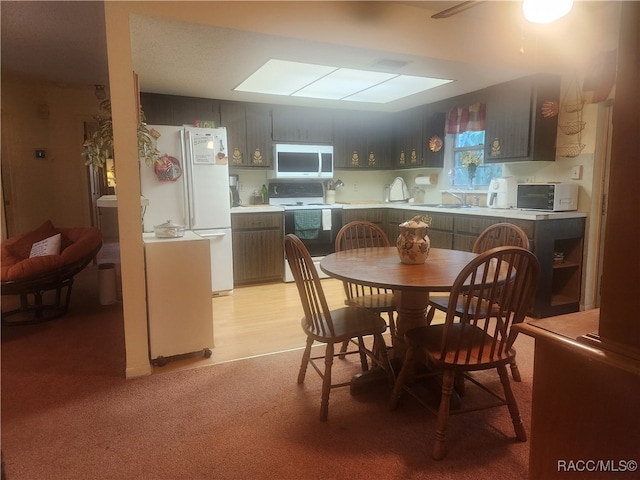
x=258, y=255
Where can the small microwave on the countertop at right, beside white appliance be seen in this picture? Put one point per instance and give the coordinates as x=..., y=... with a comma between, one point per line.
x=556, y=197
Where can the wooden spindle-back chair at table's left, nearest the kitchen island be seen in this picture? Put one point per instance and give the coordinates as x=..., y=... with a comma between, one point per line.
x=331, y=326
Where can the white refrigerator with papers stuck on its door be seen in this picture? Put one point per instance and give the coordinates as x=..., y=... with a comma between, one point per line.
x=191, y=188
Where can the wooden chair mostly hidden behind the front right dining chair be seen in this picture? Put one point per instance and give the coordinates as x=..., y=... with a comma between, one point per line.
x=497, y=235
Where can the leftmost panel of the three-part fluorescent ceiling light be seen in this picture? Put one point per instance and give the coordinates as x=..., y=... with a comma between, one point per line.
x=279, y=77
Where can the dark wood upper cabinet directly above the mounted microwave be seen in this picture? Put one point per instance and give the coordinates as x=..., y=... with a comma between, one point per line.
x=301, y=124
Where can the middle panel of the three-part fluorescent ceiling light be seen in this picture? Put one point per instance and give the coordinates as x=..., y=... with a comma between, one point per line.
x=342, y=83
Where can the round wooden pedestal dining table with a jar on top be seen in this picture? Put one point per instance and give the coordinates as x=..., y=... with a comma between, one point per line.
x=411, y=284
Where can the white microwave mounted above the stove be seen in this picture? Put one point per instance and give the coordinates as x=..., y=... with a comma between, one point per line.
x=299, y=161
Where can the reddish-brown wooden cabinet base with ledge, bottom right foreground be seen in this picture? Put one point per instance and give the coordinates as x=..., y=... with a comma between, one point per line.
x=584, y=415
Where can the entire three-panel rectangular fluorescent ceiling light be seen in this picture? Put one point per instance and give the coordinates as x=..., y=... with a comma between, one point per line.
x=281, y=77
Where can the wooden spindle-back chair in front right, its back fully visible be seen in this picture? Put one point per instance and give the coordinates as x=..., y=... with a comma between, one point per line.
x=467, y=342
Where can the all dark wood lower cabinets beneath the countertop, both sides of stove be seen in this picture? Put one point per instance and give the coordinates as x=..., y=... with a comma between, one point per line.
x=258, y=256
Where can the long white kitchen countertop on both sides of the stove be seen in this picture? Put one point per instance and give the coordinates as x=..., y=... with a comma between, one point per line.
x=480, y=211
